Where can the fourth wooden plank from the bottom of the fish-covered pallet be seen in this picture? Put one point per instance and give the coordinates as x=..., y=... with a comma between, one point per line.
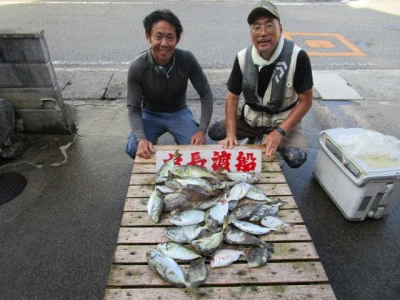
x=155, y=235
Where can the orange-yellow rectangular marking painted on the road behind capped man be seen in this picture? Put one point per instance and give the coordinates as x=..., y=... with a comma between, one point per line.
x=325, y=43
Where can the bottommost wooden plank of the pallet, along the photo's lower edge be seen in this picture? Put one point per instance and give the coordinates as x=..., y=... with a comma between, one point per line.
x=243, y=292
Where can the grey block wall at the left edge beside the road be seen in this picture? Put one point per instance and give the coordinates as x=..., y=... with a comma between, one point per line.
x=28, y=81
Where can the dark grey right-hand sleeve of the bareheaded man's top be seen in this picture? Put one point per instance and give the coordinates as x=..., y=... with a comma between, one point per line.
x=201, y=85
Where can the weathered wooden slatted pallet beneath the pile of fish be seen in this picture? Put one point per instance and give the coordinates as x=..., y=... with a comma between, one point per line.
x=294, y=270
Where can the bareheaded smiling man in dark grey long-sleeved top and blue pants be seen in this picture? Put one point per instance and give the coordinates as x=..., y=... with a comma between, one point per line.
x=157, y=84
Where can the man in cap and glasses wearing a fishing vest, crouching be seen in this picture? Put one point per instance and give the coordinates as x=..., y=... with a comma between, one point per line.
x=275, y=77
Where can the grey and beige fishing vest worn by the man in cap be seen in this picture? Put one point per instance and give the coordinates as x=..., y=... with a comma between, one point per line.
x=280, y=96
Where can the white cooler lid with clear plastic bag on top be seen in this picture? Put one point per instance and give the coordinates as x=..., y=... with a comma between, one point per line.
x=367, y=153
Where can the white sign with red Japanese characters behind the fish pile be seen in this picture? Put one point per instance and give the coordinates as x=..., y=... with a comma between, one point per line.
x=231, y=160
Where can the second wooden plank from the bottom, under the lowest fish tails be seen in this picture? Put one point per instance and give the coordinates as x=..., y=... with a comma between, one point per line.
x=240, y=273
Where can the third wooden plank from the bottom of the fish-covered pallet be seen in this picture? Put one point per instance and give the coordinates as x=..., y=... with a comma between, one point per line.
x=136, y=254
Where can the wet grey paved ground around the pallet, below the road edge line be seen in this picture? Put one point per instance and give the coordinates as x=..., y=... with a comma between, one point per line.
x=58, y=236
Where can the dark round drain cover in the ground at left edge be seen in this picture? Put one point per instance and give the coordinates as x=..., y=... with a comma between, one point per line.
x=11, y=185
